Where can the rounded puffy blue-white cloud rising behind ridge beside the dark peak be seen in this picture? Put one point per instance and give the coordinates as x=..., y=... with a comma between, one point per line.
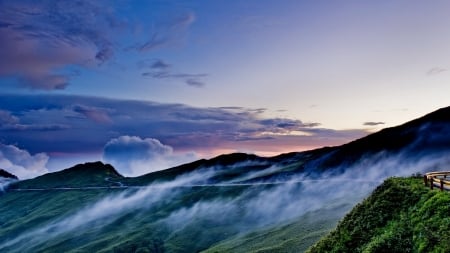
x=134, y=156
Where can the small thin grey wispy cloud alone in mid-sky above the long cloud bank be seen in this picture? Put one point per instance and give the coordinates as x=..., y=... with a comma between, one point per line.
x=159, y=69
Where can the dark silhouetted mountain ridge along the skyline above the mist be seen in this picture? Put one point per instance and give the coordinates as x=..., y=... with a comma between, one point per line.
x=392, y=139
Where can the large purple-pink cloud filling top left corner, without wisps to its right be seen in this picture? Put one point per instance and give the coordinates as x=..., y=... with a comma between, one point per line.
x=41, y=38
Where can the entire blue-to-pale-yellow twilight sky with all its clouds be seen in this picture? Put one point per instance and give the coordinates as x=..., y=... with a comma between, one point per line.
x=146, y=85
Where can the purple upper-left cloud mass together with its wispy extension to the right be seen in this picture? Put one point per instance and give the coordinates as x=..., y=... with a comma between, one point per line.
x=41, y=40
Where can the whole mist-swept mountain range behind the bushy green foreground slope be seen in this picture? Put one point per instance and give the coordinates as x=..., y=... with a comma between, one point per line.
x=230, y=203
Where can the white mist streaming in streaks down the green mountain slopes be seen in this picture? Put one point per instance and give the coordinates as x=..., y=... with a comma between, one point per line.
x=260, y=205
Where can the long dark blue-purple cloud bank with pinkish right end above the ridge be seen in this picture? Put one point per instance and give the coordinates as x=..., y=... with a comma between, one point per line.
x=180, y=126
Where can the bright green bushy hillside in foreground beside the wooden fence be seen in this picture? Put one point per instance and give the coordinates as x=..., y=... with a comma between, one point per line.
x=400, y=216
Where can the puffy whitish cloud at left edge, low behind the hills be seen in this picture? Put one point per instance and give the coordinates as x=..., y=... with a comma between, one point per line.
x=21, y=163
